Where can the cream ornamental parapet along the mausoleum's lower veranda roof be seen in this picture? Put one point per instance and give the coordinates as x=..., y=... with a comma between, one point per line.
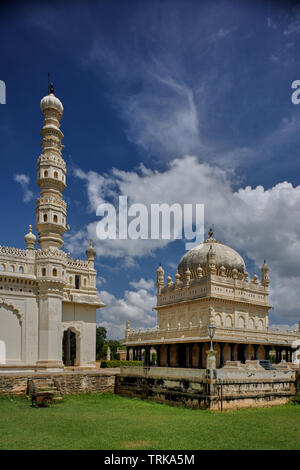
x=196, y=333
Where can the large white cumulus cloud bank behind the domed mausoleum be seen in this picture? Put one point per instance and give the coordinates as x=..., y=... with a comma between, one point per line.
x=260, y=223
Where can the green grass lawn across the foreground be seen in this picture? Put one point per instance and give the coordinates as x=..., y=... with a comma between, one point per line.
x=113, y=422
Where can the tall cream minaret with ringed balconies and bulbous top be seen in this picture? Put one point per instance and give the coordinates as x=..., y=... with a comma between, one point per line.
x=51, y=176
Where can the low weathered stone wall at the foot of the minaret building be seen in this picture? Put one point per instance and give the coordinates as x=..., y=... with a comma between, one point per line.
x=67, y=383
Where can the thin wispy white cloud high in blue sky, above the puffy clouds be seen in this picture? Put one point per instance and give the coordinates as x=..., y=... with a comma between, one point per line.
x=166, y=120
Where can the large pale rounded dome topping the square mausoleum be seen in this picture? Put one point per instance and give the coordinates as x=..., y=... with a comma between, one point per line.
x=224, y=256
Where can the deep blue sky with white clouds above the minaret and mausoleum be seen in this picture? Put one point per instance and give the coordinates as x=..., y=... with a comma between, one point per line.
x=165, y=102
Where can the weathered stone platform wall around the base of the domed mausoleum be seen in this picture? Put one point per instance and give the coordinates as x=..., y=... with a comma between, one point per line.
x=196, y=389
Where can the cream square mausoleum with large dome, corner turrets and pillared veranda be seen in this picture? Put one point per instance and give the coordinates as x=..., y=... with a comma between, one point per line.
x=211, y=287
